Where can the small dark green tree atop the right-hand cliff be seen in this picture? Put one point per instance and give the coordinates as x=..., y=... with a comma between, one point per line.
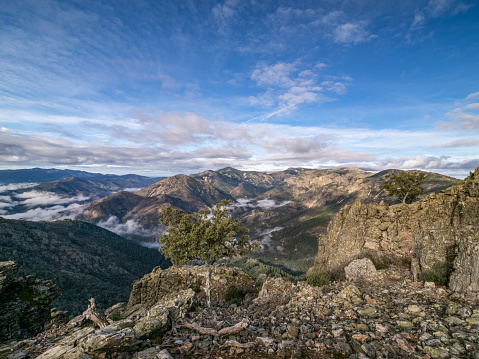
x=406, y=186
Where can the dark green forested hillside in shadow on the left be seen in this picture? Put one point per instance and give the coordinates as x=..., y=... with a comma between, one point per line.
x=85, y=260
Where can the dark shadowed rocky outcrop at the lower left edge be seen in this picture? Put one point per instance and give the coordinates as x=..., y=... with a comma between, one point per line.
x=25, y=303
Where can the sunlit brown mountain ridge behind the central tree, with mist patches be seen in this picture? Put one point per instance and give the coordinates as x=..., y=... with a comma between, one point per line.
x=285, y=210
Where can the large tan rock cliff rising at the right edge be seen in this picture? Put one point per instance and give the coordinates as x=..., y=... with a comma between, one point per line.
x=432, y=231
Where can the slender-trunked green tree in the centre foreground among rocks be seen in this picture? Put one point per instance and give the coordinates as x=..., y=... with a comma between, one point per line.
x=204, y=237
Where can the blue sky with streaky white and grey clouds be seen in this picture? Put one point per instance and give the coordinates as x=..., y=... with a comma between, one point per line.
x=165, y=87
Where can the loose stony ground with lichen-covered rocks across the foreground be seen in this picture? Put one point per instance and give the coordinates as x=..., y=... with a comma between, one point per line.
x=340, y=320
